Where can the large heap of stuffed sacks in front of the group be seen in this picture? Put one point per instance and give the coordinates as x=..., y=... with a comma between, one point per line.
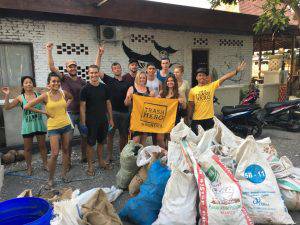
x=214, y=177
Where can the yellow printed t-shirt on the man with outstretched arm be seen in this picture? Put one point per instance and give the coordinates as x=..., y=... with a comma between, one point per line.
x=203, y=98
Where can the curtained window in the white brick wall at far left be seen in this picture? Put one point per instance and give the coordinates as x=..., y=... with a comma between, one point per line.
x=15, y=61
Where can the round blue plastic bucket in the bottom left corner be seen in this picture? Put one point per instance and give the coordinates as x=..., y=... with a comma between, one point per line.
x=28, y=210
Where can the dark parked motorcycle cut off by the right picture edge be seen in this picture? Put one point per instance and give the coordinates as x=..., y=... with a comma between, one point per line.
x=281, y=114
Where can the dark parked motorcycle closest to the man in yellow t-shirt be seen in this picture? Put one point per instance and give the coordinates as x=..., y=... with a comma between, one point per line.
x=241, y=119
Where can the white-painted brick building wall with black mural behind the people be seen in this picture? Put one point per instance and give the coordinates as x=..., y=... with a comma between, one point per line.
x=23, y=39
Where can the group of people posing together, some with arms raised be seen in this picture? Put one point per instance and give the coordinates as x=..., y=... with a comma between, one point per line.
x=102, y=105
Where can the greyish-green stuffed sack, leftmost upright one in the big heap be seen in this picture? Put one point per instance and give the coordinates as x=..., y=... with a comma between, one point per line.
x=128, y=165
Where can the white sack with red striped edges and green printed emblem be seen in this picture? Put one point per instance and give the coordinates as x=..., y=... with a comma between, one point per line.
x=219, y=191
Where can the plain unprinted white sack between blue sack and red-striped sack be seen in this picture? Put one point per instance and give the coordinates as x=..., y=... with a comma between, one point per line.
x=179, y=201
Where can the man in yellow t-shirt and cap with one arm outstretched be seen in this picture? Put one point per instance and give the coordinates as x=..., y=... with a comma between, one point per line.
x=201, y=105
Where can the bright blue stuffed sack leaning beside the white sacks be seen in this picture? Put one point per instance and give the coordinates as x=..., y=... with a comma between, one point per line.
x=143, y=209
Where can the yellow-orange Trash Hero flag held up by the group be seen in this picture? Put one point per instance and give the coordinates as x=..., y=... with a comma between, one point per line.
x=153, y=115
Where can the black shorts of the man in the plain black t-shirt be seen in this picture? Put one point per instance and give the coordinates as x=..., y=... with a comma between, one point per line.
x=96, y=132
